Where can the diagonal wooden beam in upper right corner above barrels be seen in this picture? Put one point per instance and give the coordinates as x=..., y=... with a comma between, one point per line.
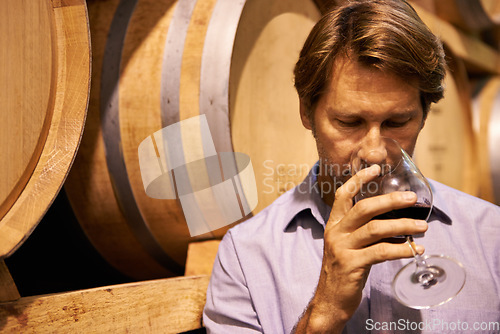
x=472, y=50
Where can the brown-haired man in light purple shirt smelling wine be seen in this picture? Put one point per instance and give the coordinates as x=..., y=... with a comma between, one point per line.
x=313, y=262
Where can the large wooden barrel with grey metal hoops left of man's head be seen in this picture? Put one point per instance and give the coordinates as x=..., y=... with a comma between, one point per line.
x=156, y=63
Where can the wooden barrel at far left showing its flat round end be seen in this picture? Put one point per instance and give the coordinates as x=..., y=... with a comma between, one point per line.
x=44, y=89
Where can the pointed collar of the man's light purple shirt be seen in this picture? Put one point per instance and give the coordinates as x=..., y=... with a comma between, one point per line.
x=306, y=196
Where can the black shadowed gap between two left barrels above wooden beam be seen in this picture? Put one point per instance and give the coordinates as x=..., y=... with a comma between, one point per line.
x=58, y=256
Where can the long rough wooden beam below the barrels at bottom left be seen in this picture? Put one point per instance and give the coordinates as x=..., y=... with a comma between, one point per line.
x=171, y=305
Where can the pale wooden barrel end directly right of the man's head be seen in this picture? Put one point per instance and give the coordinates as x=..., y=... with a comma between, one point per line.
x=446, y=148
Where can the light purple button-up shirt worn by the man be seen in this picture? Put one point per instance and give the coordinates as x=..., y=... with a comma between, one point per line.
x=267, y=269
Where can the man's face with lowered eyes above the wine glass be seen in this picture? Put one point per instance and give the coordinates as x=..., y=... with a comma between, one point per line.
x=360, y=106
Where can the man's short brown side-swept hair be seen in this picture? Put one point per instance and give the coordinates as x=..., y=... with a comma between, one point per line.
x=384, y=34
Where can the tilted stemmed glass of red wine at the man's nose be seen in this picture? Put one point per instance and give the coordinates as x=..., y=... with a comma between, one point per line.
x=427, y=281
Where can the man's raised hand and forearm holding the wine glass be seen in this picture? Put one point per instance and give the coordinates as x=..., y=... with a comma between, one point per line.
x=352, y=245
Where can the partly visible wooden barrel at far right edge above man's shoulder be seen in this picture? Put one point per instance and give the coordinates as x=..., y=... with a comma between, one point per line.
x=487, y=117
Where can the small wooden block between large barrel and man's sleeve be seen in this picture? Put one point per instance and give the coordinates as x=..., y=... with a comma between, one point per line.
x=201, y=256
